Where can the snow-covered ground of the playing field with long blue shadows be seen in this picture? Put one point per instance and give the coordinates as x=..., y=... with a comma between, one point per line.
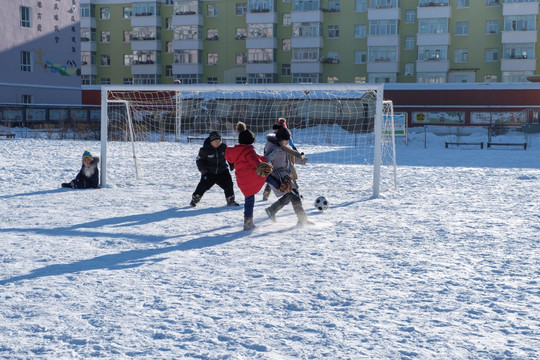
x=448, y=267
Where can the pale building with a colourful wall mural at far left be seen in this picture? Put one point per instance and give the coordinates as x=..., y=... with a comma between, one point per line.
x=40, y=52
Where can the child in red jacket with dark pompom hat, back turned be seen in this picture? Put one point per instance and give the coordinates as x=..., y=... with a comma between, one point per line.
x=246, y=161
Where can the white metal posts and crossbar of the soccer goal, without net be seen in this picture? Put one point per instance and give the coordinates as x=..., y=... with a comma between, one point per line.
x=382, y=109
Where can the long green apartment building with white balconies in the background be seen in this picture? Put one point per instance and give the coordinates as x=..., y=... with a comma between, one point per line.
x=307, y=41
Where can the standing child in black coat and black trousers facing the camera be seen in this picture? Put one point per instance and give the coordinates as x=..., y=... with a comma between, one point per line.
x=214, y=170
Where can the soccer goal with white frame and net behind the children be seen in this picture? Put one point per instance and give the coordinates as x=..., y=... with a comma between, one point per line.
x=343, y=124
